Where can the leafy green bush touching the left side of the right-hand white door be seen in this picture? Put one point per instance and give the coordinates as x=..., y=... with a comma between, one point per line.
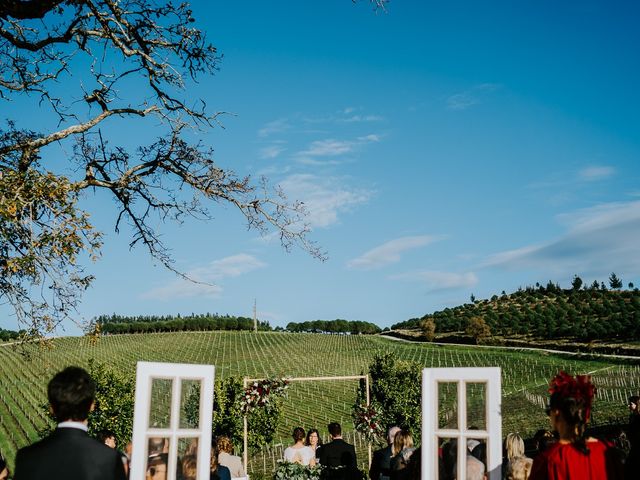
x=395, y=391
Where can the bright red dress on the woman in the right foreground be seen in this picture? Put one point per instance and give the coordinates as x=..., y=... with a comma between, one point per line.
x=564, y=461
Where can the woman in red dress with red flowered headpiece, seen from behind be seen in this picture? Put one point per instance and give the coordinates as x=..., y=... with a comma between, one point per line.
x=574, y=455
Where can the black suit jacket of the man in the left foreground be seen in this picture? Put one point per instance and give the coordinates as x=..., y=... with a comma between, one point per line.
x=68, y=454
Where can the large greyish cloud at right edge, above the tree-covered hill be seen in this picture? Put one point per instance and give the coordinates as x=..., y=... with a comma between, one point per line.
x=598, y=240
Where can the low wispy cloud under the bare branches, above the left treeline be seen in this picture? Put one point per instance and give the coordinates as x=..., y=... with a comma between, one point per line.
x=209, y=276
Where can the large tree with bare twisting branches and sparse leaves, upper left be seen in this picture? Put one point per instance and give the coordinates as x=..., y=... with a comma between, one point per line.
x=89, y=64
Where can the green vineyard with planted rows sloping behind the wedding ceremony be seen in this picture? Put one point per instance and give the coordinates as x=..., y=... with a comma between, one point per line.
x=525, y=375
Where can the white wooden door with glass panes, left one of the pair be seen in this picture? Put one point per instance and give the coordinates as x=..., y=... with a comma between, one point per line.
x=172, y=420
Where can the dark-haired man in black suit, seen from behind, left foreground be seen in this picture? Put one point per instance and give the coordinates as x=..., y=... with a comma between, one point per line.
x=69, y=453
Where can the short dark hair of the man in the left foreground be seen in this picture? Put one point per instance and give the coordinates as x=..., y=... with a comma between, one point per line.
x=71, y=393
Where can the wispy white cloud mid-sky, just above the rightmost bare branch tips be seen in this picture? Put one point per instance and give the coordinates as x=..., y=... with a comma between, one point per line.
x=324, y=197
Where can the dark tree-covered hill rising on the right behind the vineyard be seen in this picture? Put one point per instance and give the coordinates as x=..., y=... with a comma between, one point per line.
x=581, y=314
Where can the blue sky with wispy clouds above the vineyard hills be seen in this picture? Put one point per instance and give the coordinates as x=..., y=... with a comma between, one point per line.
x=442, y=149
